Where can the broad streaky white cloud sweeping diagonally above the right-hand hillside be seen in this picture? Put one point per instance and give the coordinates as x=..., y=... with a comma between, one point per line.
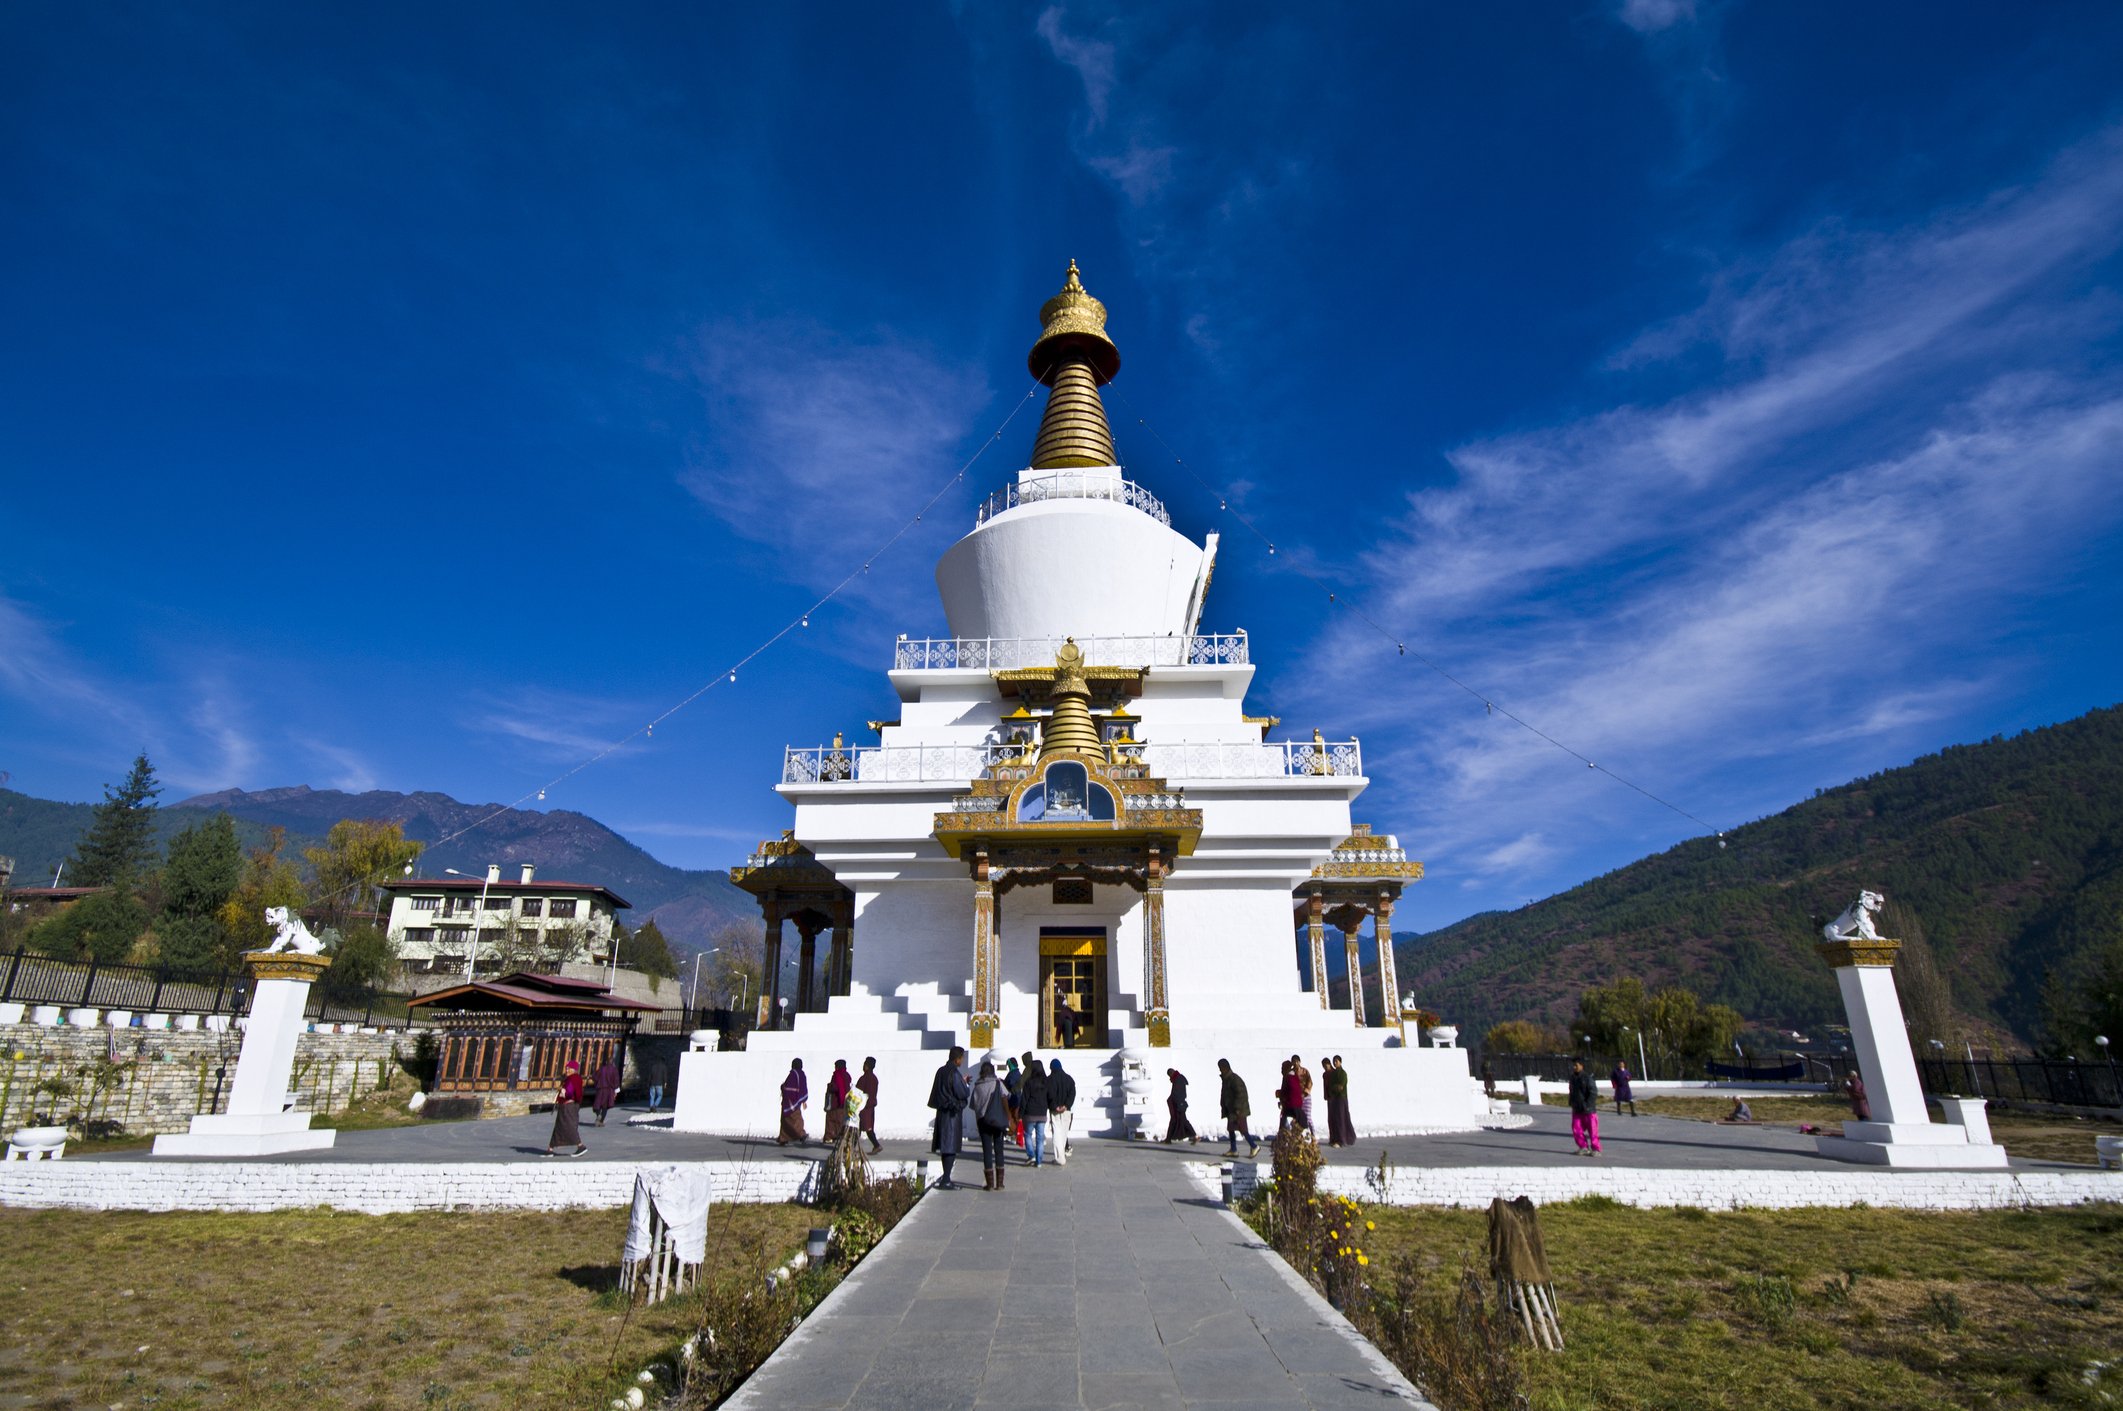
x=1899, y=449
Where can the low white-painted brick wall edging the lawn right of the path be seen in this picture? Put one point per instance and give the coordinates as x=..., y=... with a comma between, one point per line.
x=1474, y=1187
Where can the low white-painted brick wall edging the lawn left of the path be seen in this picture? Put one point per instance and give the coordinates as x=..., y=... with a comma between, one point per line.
x=377, y=1189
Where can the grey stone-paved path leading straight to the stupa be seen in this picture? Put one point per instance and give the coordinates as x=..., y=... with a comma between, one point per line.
x=1103, y=1285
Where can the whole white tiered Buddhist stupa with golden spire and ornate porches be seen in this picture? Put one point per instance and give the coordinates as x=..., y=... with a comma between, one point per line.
x=1075, y=809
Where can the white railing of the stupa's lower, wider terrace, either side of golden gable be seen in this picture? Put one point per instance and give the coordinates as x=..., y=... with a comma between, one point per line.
x=967, y=763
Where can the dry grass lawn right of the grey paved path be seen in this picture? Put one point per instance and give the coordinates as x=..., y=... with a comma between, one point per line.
x=1865, y=1310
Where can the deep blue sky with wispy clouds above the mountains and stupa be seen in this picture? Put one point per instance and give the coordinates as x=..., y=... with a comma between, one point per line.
x=424, y=398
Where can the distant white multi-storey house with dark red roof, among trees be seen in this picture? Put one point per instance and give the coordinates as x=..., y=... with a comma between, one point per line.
x=515, y=924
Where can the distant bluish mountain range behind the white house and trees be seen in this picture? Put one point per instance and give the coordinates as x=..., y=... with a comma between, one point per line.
x=687, y=905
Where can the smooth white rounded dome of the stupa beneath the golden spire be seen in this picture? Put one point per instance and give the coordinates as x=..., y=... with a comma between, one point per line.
x=1069, y=570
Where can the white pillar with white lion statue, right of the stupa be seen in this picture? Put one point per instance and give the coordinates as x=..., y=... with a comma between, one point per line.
x=1899, y=1130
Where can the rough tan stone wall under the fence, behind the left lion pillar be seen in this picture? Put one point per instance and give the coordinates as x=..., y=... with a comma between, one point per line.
x=171, y=1075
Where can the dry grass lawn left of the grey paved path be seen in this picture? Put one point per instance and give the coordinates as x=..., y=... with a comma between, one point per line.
x=307, y=1310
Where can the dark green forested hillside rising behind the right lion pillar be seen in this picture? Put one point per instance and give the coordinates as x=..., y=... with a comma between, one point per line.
x=2007, y=854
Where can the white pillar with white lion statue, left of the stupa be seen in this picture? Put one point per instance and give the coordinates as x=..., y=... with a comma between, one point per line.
x=260, y=1119
